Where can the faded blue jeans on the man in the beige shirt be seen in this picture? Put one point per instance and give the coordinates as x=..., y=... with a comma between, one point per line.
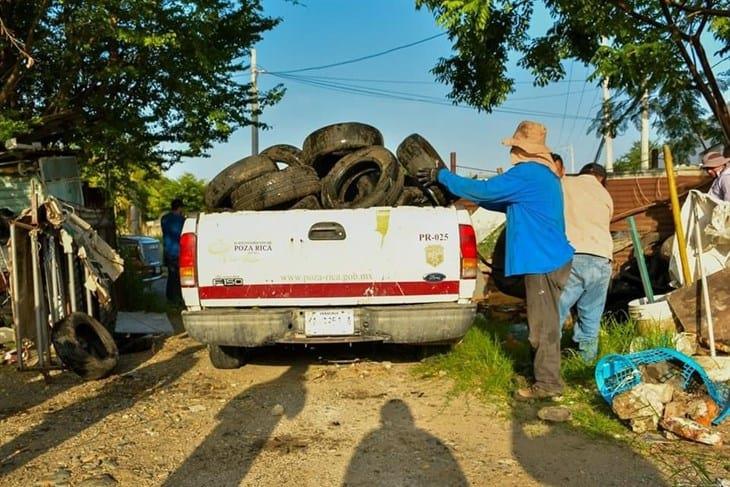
x=586, y=289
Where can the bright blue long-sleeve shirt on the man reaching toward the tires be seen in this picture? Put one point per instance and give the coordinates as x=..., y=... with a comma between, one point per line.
x=531, y=196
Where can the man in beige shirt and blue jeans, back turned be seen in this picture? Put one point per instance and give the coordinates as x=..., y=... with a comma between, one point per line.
x=588, y=213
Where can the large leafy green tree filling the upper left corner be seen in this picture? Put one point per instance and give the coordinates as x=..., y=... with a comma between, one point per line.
x=132, y=83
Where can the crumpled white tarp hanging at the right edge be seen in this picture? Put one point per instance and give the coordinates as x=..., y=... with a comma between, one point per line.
x=713, y=217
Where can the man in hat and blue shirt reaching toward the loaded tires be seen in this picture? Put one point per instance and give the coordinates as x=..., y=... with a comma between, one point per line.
x=536, y=246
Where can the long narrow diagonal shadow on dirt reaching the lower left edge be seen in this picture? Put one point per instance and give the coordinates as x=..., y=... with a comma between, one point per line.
x=120, y=393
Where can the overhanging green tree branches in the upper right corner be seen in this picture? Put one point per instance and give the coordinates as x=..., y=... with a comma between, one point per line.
x=654, y=46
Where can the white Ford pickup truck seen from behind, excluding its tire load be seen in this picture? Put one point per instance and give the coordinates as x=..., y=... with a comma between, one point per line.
x=399, y=275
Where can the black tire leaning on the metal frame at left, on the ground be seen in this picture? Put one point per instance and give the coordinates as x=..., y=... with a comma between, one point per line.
x=85, y=346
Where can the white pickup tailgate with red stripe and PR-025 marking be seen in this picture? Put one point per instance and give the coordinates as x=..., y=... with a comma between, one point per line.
x=328, y=257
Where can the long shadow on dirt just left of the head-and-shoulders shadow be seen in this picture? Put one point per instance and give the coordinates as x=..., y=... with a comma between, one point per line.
x=244, y=430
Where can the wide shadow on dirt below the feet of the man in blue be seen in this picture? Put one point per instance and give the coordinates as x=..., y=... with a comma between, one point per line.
x=554, y=455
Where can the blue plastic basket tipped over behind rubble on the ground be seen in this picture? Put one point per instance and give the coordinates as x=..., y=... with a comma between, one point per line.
x=619, y=373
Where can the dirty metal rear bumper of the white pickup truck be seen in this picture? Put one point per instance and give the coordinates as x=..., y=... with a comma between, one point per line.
x=412, y=324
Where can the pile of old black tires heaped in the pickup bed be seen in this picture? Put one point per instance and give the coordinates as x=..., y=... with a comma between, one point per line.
x=344, y=165
